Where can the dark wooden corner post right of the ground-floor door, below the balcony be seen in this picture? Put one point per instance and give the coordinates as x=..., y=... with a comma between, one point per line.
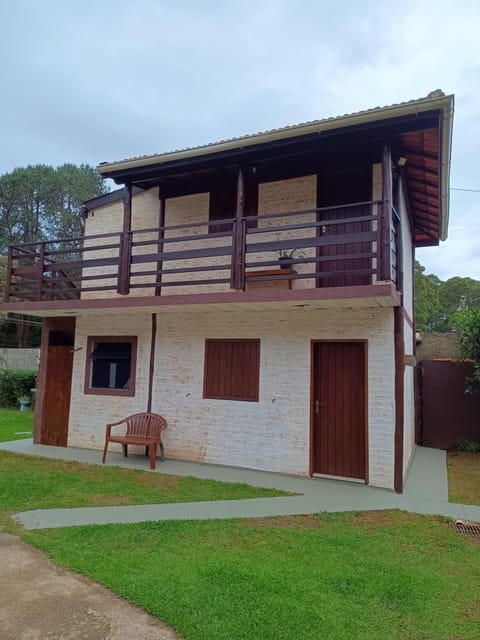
x=399, y=343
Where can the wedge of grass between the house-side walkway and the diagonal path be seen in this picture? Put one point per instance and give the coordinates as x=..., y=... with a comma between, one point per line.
x=40, y=483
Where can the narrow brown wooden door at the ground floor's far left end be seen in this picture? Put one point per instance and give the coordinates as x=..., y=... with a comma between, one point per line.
x=56, y=400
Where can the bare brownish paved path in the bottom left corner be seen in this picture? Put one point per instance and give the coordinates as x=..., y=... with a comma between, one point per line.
x=40, y=601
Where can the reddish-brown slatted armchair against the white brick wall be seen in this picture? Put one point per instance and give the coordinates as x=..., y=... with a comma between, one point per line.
x=143, y=429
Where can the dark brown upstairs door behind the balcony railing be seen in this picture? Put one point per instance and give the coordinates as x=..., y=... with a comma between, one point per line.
x=332, y=191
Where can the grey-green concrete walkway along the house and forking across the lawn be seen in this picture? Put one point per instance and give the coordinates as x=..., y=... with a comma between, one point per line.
x=426, y=492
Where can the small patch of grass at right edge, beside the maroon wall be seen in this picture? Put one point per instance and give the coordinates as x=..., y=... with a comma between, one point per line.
x=464, y=477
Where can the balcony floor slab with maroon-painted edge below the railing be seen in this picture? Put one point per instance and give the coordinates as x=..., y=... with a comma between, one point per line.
x=366, y=296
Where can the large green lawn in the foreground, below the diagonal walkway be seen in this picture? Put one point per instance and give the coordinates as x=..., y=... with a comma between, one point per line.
x=357, y=577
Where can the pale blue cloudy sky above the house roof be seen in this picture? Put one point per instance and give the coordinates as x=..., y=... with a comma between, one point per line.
x=102, y=80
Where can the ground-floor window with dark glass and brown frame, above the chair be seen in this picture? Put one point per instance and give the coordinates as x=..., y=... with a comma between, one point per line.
x=111, y=365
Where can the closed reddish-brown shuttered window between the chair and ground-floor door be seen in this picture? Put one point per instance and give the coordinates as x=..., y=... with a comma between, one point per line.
x=232, y=369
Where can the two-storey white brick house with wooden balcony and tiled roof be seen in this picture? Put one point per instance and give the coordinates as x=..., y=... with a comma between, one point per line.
x=176, y=299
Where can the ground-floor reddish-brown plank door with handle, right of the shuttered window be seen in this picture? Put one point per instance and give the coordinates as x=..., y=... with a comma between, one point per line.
x=338, y=409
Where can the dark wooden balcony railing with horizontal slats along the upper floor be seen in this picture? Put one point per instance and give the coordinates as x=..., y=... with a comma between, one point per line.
x=355, y=244
